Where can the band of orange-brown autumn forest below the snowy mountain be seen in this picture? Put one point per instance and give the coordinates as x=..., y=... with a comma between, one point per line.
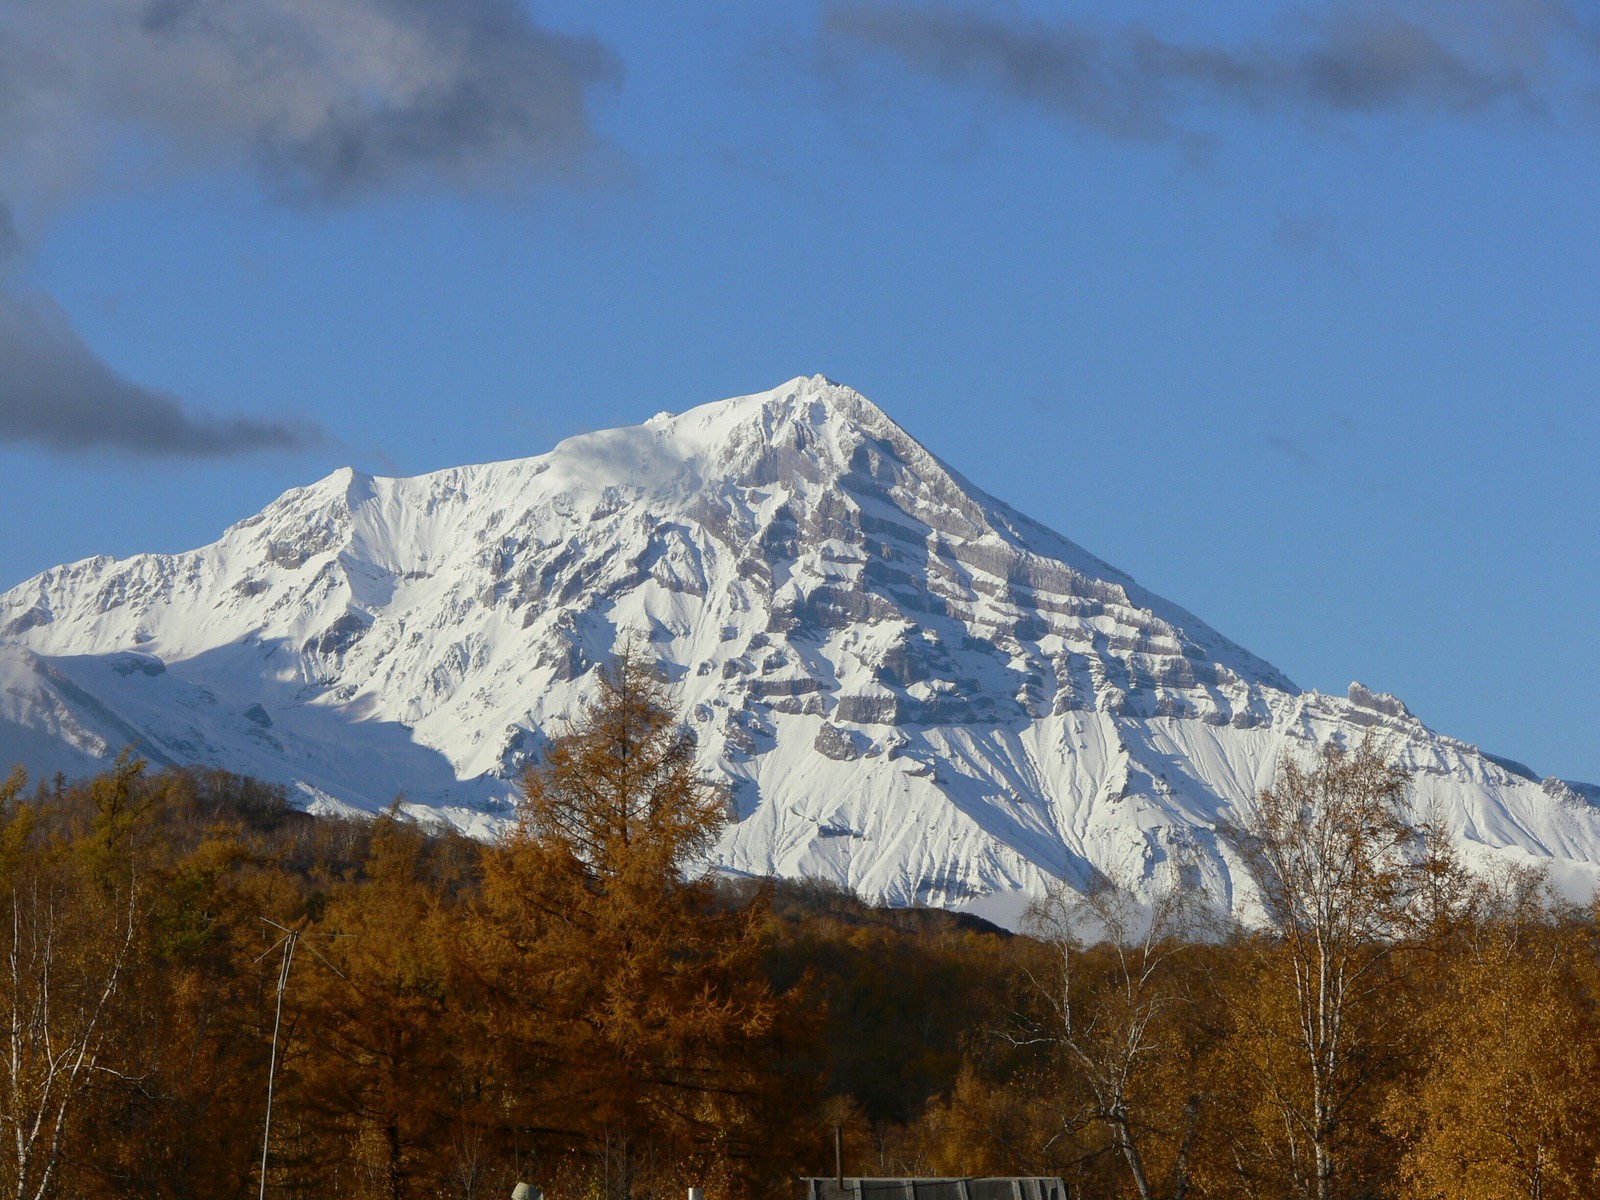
x=441, y=1018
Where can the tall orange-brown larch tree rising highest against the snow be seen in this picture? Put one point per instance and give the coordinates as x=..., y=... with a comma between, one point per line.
x=617, y=967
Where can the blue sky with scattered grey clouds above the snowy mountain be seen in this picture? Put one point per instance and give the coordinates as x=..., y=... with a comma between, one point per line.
x=1287, y=310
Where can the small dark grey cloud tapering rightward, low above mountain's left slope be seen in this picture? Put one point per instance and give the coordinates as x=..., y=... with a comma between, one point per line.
x=55, y=393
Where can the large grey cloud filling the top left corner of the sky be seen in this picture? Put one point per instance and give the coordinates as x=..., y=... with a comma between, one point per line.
x=329, y=100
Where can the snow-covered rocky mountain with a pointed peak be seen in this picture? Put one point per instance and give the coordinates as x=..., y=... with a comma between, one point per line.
x=908, y=686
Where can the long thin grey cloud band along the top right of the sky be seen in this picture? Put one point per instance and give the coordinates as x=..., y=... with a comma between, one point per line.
x=1134, y=82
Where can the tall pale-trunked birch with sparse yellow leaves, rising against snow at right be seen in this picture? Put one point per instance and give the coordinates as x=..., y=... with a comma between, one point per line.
x=1343, y=878
